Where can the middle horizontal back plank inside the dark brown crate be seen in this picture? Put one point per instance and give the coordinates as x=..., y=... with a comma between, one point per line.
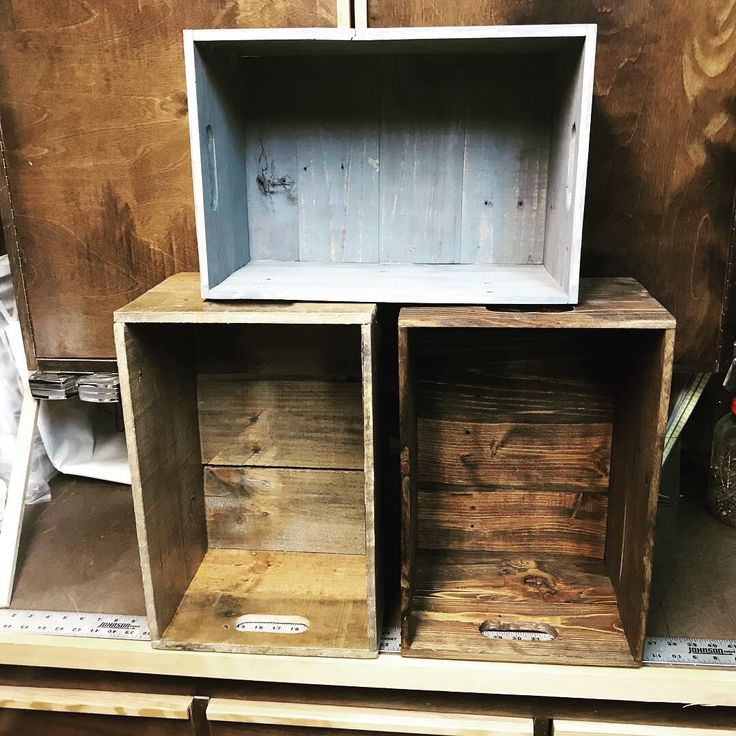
x=528, y=457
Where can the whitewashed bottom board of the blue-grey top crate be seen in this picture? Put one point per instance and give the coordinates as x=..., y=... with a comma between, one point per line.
x=392, y=282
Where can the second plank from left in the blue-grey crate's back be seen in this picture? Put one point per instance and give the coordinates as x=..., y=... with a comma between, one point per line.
x=337, y=159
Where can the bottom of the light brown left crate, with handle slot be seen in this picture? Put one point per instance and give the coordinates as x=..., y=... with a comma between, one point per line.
x=329, y=590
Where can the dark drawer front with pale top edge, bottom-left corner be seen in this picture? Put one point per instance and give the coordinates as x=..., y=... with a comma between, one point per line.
x=38, y=711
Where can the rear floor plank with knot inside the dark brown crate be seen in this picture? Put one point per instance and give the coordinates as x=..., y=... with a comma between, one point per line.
x=458, y=579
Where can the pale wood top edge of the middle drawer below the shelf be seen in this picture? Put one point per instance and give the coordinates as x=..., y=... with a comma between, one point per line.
x=271, y=718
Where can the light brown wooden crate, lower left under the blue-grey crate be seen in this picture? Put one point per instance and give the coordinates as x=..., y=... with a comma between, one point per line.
x=250, y=433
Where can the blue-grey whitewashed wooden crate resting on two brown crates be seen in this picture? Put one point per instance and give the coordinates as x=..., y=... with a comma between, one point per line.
x=426, y=165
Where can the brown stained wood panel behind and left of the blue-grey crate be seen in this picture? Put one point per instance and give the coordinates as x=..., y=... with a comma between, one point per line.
x=94, y=112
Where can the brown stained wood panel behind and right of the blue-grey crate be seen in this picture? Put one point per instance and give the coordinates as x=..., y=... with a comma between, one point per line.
x=662, y=170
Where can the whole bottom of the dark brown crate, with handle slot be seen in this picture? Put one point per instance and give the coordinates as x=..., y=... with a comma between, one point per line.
x=457, y=592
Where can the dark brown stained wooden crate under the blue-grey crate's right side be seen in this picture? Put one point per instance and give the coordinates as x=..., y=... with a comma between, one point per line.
x=531, y=447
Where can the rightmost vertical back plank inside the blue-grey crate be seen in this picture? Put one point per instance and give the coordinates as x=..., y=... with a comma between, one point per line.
x=507, y=141
